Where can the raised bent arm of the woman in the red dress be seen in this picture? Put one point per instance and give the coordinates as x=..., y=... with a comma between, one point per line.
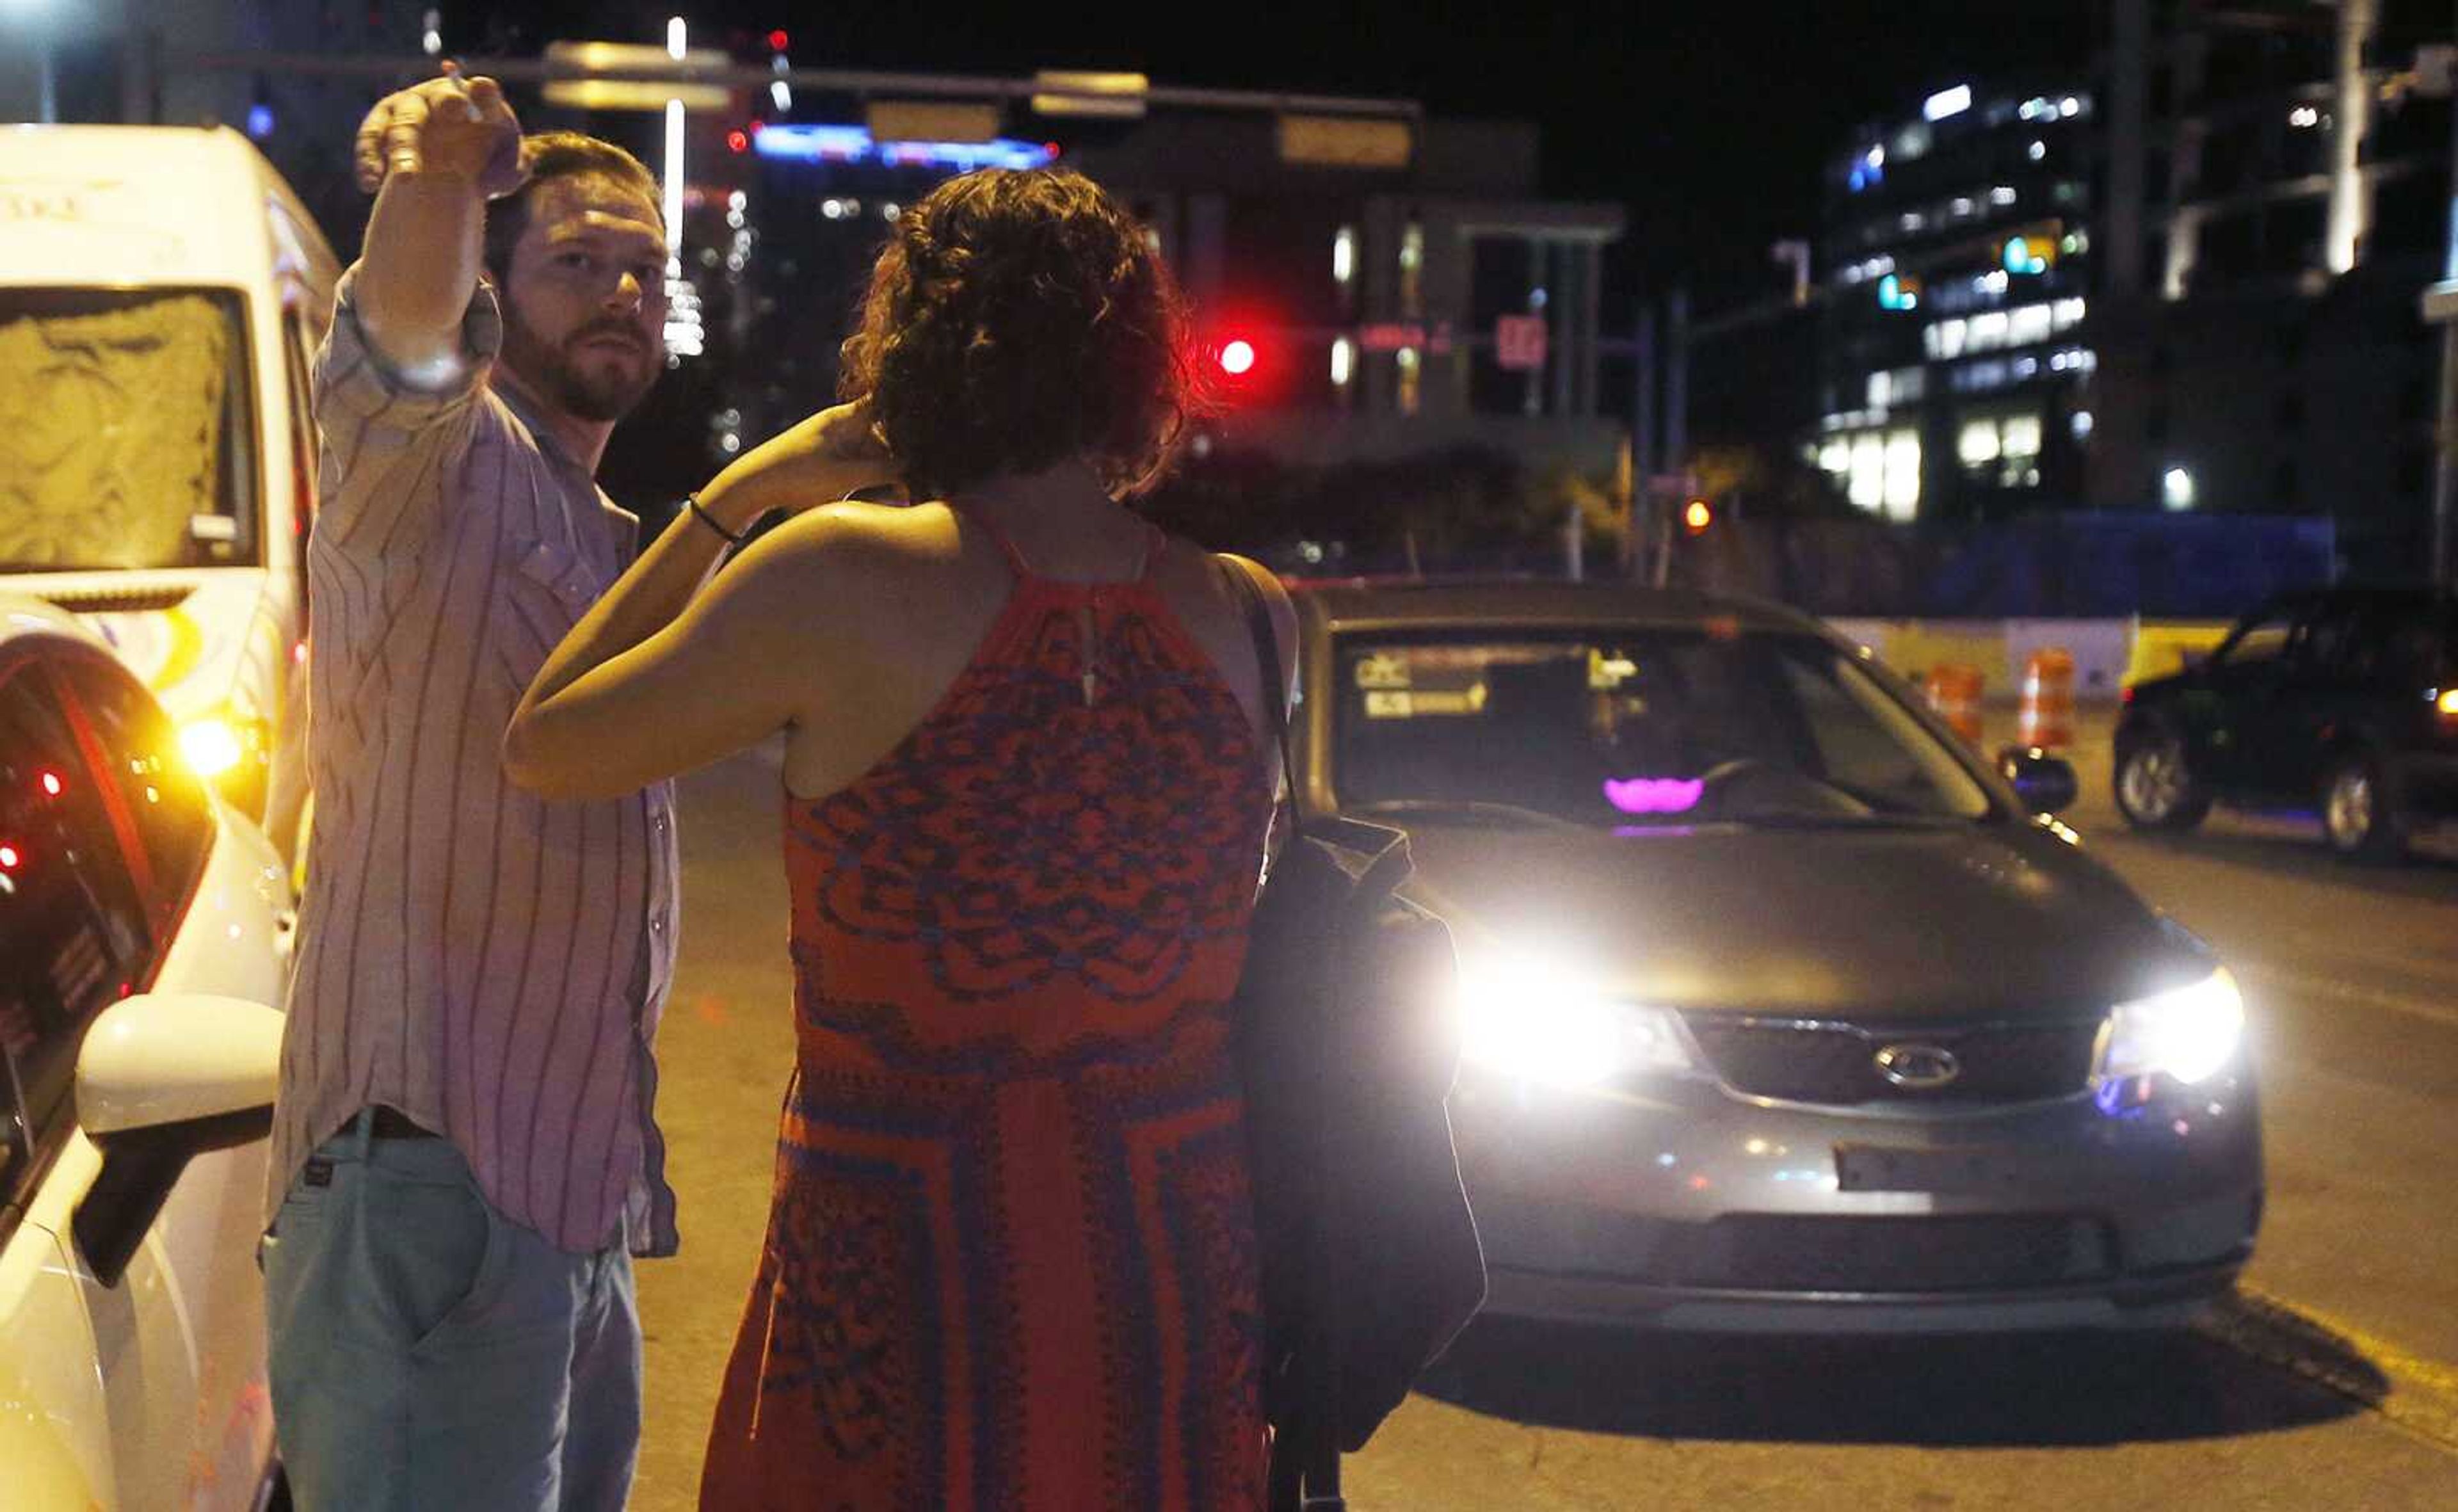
x=662, y=675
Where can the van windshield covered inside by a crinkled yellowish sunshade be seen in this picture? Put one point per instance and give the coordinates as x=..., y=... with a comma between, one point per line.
x=124, y=431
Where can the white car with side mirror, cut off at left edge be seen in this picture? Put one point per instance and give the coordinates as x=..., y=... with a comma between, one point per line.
x=144, y=948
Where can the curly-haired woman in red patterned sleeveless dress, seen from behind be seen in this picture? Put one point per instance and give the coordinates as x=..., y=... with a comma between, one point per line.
x=1011, y=1258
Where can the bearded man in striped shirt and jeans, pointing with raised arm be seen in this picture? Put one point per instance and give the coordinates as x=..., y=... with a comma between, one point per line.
x=466, y=1157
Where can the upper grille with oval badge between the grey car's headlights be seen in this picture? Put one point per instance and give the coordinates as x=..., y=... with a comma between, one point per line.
x=1828, y=1063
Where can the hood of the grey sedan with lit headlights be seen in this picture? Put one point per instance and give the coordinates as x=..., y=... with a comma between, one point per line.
x=1975, y=921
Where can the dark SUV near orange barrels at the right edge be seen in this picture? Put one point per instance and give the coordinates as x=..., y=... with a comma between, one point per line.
x=2339, y=699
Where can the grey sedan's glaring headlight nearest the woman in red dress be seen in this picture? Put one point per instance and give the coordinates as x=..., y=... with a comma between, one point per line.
x=1537, y=1019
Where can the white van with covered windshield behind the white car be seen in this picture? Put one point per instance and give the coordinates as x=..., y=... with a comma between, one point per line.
x=161, y=299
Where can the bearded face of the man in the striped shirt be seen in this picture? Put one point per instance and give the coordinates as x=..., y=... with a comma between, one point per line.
x=586, y=301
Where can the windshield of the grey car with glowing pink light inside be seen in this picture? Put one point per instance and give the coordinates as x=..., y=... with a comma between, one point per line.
x=1633, y=729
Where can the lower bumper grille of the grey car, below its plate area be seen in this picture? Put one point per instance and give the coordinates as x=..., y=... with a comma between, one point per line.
x=1778, y=1253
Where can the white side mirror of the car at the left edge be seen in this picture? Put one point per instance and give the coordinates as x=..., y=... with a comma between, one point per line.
x=161, y=1081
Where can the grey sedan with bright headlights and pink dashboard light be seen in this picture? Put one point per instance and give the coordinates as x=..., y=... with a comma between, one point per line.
x=1783, y=1012
